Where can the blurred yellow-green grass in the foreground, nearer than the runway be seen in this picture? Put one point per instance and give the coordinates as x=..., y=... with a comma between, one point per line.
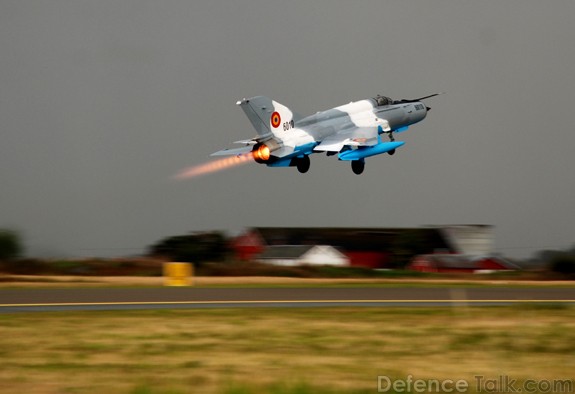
x=275, y=350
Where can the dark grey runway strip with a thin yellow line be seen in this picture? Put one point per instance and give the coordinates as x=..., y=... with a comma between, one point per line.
x=41, y=299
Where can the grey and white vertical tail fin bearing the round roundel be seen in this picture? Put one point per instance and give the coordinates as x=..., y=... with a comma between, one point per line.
x=268, y=117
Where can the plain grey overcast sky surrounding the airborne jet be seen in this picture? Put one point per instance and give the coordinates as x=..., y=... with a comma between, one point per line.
x=102, y=102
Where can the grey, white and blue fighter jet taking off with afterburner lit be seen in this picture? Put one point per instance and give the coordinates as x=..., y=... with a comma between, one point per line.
x=352, y=131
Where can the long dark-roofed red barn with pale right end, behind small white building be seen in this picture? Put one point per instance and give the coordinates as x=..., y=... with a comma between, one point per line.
x=368, y=247
